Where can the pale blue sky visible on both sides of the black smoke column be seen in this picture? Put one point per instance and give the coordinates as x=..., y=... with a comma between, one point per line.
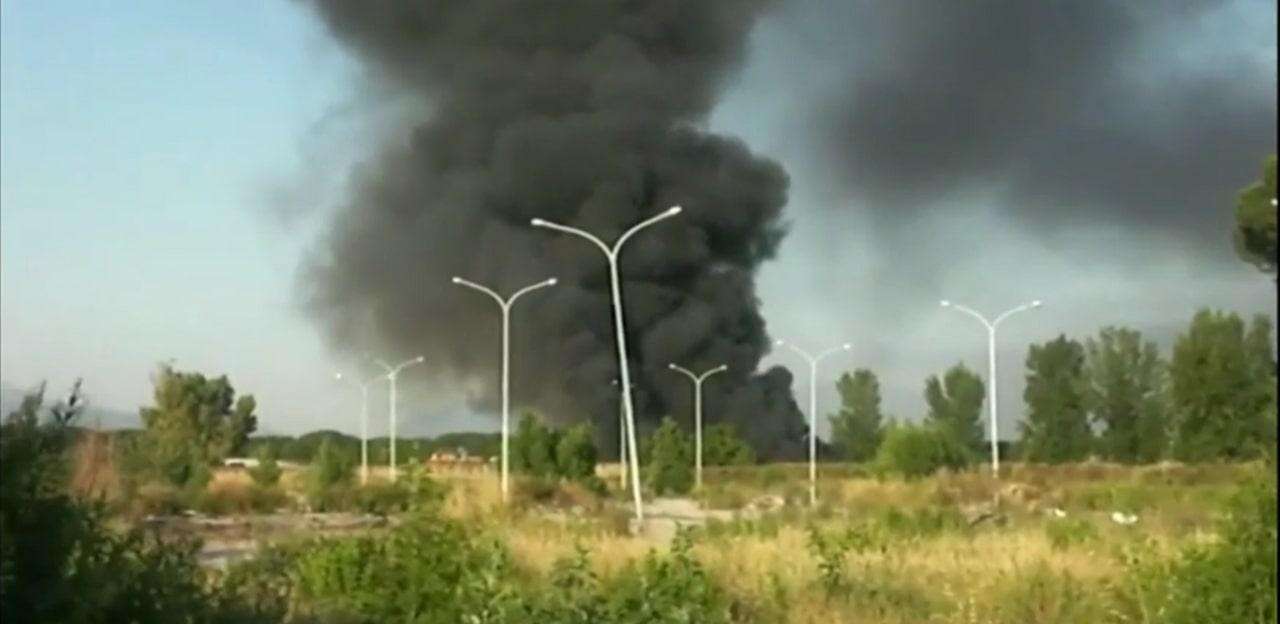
x=144, y=153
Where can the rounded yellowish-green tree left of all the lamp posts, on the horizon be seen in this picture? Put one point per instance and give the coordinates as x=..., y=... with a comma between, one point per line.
x=195, y=423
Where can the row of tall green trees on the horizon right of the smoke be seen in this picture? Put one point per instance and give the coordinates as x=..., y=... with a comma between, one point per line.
x=1113, y=396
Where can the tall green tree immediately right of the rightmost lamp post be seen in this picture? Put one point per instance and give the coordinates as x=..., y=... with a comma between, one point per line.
x=1057, y=428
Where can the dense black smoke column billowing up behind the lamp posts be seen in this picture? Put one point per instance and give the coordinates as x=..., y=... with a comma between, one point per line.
x=580, y=112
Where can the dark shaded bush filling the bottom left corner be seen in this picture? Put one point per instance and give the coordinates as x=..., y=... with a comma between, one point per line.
x=61, y=563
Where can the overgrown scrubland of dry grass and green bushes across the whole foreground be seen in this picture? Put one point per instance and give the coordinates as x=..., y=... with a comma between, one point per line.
x=1037, y=545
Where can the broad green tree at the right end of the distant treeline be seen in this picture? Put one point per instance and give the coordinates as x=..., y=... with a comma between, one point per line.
x=1223, y=388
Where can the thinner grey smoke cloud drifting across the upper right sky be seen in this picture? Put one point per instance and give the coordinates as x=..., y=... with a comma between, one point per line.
x=1144, y=116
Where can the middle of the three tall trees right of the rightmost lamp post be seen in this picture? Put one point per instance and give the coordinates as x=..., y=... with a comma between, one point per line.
x=1127, y=389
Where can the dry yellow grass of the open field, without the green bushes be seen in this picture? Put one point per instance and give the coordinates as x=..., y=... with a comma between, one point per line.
x=1036, y=545
